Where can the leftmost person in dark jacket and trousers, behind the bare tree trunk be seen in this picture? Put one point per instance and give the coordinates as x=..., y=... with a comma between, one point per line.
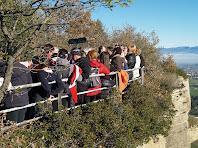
x=17, y=98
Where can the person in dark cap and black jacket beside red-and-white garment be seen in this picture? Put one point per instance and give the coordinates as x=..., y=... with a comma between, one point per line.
x=84, y=64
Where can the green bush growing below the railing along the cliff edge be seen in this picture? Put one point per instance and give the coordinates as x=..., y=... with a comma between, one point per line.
x=108, y=123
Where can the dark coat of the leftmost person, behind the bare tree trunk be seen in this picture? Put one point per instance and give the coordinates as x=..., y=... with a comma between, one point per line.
x=16, y=98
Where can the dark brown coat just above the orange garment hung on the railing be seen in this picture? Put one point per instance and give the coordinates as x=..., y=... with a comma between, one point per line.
x=116, y=63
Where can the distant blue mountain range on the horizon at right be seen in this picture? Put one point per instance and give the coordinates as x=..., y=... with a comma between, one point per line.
x=182, y=49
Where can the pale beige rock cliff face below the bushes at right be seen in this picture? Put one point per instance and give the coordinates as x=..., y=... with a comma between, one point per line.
x=178, y=135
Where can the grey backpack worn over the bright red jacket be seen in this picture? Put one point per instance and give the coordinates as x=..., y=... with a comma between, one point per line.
x=95, y=81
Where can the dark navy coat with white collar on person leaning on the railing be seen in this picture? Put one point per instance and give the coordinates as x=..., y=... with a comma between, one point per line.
x=46, y=76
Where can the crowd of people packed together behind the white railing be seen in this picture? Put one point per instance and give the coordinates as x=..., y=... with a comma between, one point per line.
x=56, y=64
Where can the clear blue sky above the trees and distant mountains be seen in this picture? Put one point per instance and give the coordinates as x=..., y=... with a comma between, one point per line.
x=174, y=21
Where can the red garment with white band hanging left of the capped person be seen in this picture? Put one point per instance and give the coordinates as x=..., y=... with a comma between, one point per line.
x=77, y=71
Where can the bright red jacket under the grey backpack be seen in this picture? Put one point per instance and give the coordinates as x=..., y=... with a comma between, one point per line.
x=103, y=69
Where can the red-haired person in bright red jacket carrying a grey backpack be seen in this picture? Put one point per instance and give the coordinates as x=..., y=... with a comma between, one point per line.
x=103, y=69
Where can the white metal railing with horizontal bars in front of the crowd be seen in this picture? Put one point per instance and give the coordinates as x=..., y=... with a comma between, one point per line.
x=60, y=97
